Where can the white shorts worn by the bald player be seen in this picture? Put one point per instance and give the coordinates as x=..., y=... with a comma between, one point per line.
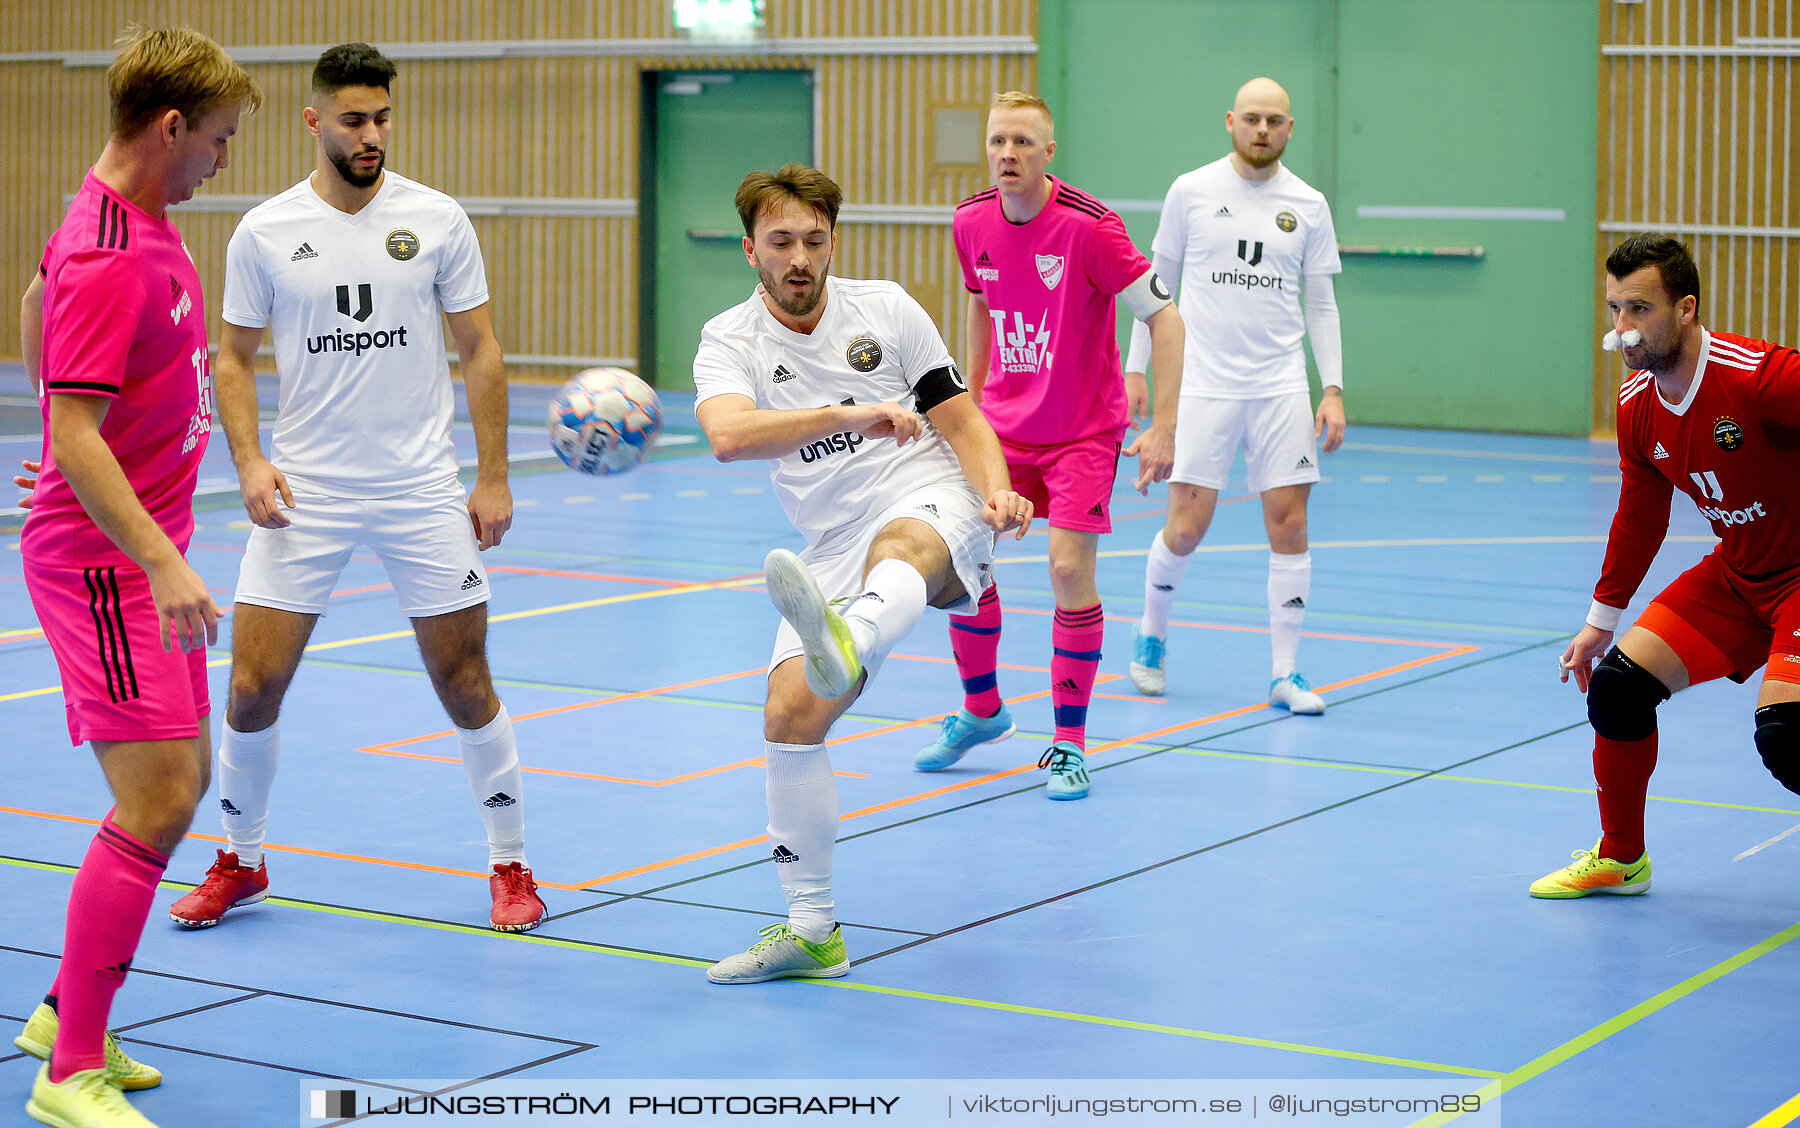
x=1275, y=433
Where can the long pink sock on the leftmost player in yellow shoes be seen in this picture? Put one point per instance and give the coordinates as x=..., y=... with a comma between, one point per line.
x=107, y=913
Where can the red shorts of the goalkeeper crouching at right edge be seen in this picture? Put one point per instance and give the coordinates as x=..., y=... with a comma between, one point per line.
x=1725, y=625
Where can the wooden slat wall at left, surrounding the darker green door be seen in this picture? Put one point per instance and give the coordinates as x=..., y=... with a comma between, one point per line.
x=534, y=127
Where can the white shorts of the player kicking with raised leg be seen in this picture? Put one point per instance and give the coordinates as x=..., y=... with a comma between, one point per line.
x=955, y=515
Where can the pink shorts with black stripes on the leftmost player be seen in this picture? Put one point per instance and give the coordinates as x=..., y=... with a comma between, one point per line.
x=118, y=681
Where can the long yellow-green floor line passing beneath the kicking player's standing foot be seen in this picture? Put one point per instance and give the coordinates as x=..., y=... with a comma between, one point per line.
x=550, y=942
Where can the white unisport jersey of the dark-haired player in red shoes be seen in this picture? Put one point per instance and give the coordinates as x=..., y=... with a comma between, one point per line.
x=355, y=307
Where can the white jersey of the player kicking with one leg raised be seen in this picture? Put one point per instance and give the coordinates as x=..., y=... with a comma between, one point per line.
x=872, y=346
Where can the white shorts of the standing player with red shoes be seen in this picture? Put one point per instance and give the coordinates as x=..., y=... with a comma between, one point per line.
x=426, y=542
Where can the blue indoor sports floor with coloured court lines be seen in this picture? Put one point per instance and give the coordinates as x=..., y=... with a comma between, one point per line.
x=1245, y=895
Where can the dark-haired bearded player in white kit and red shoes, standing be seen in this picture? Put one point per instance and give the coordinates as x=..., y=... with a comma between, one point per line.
x=354, y=271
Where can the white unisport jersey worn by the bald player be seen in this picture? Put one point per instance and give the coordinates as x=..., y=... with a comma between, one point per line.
x=1245, y=247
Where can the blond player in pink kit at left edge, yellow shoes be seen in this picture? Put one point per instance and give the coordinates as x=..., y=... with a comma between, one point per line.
x=127, y=400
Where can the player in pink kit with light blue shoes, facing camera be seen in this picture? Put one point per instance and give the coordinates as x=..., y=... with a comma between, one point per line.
x=1043, y=265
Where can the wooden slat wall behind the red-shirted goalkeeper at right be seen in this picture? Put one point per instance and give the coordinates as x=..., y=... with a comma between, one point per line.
x=1707, y=141
